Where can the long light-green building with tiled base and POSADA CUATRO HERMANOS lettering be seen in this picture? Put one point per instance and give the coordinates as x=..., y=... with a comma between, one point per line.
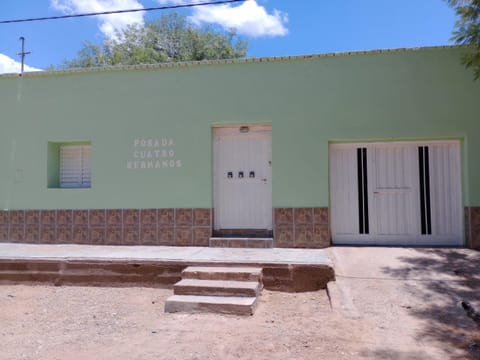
x=376, y=147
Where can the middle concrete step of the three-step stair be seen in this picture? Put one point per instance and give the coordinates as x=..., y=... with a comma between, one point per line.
x=217, y=288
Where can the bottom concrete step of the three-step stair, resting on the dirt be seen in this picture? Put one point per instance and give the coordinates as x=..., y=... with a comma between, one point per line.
x=213, y=304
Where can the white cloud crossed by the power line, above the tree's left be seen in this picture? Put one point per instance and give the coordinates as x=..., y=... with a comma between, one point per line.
x=108, y=23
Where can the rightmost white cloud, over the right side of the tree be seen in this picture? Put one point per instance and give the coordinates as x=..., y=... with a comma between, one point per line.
x=248, y=18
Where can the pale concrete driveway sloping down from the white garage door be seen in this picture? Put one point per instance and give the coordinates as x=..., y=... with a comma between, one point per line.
x=410, y=297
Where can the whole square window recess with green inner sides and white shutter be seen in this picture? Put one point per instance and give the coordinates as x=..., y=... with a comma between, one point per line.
x=69, y=165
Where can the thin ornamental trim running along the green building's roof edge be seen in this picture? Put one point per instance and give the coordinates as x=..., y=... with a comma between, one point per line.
x=224, y=62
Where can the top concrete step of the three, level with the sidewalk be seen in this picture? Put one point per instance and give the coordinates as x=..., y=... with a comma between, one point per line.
x=222, y=273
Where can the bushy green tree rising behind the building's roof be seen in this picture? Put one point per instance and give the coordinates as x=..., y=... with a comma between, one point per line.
x=171, y=38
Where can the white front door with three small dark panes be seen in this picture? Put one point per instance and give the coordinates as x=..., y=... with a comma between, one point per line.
x=242, y=177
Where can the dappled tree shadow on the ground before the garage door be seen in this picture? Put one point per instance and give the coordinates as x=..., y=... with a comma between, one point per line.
x=441, y=279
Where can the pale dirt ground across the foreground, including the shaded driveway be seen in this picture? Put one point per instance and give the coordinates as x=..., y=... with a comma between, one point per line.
x=387, y=304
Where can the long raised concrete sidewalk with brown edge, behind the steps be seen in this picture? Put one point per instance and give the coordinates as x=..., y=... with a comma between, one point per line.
x=291, y=270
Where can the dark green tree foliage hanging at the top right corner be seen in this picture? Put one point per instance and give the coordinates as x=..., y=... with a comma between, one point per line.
x=467, y=31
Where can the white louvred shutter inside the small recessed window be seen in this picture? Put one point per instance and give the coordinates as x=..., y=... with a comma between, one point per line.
x=75, y=166
